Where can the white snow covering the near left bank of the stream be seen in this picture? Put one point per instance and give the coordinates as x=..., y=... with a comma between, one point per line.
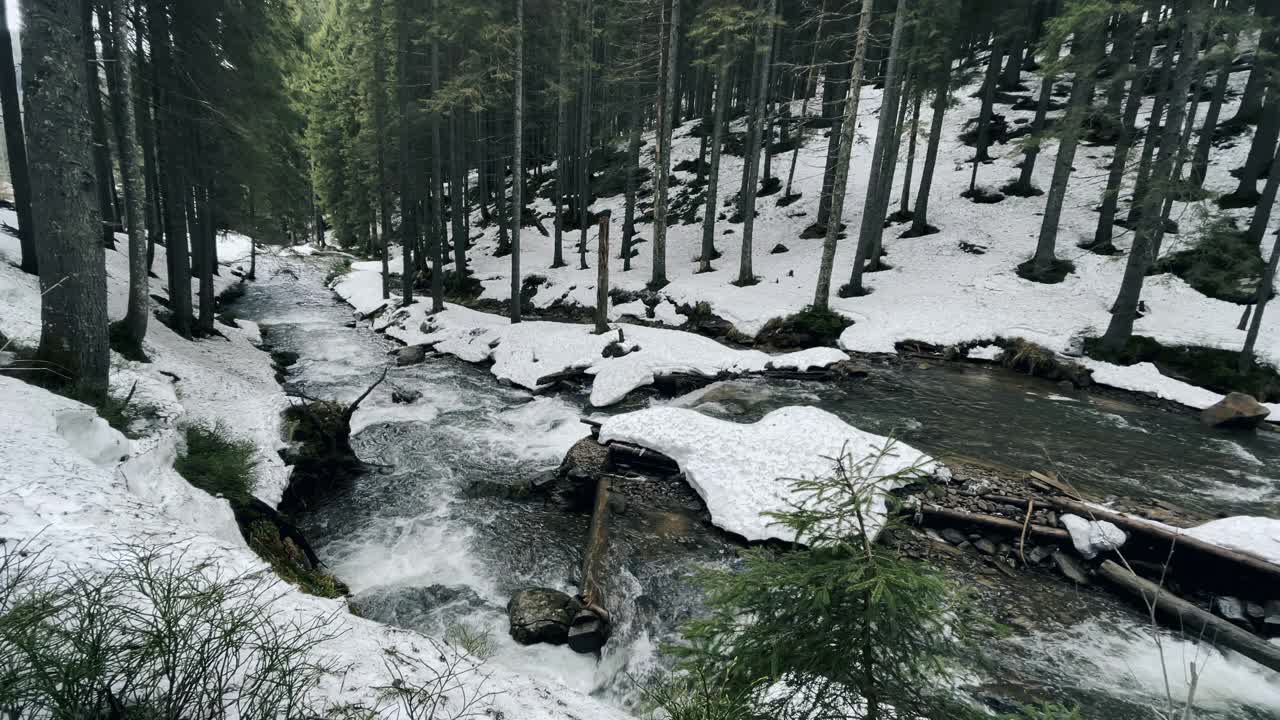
x=75, y=489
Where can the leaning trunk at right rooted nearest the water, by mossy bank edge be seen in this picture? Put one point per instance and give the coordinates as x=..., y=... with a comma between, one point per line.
x=1146, y=238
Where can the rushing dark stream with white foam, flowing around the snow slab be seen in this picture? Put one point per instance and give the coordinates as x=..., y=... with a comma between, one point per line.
x=432, y=541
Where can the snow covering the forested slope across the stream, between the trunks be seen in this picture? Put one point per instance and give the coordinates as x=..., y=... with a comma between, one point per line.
x=935, y=291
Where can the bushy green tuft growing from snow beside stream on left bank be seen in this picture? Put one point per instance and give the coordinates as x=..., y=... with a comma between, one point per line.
x=218, y=463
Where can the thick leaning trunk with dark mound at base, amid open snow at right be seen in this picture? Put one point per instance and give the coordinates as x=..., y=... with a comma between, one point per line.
x=1043, y=267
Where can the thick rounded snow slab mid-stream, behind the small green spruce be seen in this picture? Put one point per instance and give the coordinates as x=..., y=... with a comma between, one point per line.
x=744, y=471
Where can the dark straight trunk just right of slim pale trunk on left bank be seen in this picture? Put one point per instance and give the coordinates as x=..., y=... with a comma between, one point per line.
x=172, y=167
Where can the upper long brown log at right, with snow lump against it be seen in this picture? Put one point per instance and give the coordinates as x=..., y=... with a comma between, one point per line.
x=1162, y=539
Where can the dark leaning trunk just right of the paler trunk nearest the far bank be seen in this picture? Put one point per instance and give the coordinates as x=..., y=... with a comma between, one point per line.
x=880, y=185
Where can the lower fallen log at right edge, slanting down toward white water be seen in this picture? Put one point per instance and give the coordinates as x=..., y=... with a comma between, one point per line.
x=1182, y=616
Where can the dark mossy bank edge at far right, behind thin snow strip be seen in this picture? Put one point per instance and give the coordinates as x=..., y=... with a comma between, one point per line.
x=1206, y=367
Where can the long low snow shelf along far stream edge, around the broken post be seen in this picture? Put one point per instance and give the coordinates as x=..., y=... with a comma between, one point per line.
x=527, y=353
